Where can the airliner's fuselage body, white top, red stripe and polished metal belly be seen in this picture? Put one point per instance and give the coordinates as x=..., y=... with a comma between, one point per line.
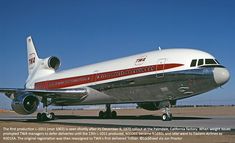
x=147, y=77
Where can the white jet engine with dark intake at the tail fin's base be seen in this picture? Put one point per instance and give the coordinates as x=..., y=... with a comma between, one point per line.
x=51, y=63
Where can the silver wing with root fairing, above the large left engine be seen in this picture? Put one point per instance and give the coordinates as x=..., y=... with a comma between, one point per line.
x=78, y=96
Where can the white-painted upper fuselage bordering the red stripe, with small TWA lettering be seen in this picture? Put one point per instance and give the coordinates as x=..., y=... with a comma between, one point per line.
x=171, y=56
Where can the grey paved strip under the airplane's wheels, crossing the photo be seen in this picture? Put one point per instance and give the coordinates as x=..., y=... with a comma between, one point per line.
x=134, y=121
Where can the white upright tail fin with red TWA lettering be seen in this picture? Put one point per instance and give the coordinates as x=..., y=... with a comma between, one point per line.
x=32, y=56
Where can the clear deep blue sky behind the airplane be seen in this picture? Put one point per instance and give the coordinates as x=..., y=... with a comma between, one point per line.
x=82, y=32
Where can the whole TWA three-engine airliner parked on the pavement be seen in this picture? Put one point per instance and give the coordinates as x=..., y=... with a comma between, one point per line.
x=153, y=80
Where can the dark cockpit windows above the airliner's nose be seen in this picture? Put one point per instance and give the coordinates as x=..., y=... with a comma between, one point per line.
x=200, y=62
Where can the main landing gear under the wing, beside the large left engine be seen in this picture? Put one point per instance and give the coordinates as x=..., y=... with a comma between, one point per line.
x=45, y=116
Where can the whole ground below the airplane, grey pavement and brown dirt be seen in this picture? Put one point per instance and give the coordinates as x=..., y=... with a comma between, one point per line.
x=191, y=124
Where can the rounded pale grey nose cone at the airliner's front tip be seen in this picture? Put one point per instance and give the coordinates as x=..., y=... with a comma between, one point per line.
x=221, y=75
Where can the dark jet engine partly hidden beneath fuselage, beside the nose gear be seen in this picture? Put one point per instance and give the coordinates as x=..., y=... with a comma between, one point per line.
x=152, y=106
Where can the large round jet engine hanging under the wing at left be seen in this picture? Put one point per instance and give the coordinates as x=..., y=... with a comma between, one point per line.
x=25, y=103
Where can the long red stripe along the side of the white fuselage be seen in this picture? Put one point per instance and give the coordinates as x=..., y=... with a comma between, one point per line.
x=78, y=80
